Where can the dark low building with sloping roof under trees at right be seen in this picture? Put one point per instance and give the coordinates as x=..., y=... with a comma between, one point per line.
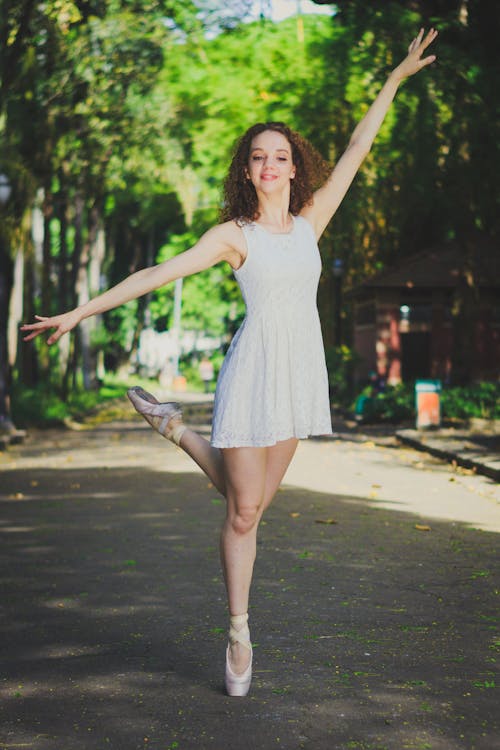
x=431, y=311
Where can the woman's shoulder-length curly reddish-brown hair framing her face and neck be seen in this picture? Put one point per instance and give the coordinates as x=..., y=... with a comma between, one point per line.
x=240, y=197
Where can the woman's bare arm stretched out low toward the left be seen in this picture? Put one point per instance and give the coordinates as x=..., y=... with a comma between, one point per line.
x=218, y=244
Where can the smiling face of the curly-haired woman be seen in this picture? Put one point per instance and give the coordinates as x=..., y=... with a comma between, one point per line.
x=270, y=166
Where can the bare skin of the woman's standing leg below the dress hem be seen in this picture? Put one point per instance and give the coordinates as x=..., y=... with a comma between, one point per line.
x=252, y=477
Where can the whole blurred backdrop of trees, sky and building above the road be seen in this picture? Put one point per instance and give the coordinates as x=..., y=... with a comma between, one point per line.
x=117, y=123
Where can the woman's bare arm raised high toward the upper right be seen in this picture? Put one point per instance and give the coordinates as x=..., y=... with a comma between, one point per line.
x=328, y=198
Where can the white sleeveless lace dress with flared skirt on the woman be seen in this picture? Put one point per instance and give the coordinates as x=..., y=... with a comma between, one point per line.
x=273, y=384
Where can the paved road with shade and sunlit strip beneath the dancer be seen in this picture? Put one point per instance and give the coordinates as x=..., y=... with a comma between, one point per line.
x=375, y=602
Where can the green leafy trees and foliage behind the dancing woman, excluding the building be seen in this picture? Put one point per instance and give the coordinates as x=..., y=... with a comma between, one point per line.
x=135, y=107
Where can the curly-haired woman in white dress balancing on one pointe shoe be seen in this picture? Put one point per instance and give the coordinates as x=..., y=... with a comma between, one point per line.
x=273, y=388
